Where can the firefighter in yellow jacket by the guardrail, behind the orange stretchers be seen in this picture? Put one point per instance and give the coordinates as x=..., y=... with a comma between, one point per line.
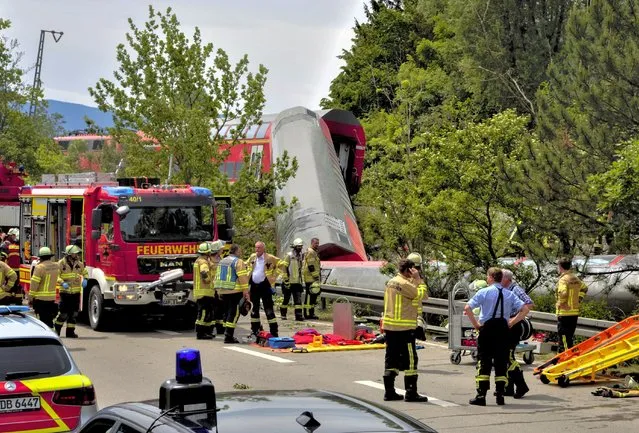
x=570, y=292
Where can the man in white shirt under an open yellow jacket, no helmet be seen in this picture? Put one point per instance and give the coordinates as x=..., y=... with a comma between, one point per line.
x=262, y=274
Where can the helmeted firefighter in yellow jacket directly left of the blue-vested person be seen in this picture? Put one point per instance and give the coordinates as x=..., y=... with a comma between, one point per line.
x=203, y=292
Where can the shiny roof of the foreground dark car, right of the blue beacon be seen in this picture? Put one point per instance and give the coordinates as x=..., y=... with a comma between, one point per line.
x=277, y=411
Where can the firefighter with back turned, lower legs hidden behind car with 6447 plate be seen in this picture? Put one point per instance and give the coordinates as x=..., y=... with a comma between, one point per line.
x=42, y=287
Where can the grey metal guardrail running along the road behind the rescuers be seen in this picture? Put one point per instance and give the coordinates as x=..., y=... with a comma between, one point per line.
x=541, y=321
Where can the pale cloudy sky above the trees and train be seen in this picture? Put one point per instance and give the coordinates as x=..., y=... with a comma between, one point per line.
x=297, y=40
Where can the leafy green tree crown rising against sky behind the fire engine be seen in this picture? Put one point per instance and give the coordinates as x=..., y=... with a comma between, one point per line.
x=166, y=89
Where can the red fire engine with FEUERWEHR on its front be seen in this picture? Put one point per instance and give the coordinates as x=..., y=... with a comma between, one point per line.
x=134, y=234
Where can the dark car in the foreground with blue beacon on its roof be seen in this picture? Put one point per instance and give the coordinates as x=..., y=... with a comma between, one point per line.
x=189, y=404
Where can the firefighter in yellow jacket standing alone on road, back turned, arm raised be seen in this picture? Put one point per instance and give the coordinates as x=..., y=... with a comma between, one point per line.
x=402, y=303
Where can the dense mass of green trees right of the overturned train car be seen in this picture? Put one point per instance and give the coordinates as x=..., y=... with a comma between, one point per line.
x=509, y=128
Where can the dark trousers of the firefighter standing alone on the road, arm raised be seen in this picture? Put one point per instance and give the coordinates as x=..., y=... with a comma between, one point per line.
x=401, y=353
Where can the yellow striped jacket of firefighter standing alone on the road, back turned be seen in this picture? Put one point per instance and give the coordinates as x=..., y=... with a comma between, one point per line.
x=402, y=303
